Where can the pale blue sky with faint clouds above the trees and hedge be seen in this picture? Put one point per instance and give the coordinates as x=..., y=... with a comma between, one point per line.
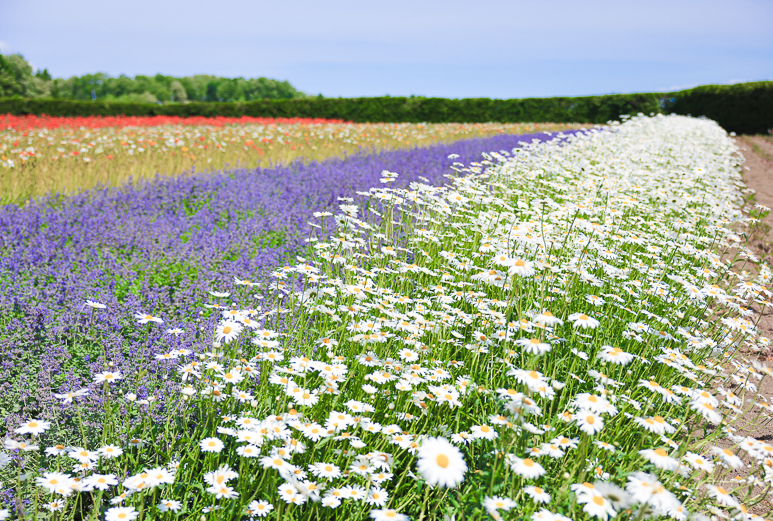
x=481, y=48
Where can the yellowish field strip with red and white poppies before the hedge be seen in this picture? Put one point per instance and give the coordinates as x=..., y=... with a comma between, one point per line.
x=41, y=155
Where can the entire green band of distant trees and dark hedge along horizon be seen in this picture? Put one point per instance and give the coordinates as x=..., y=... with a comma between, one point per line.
x=742, y=108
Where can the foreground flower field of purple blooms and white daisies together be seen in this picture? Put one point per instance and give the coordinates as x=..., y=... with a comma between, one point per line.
x=548, y=332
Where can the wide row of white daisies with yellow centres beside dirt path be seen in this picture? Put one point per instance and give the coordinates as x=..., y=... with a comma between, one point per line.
x=552, y=336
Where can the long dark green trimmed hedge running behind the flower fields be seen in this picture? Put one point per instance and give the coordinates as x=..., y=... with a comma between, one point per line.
x=742, y=108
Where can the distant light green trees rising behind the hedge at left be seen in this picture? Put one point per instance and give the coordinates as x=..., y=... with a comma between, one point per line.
x=18, y=79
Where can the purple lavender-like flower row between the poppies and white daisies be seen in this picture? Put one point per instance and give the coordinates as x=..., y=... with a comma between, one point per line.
x=158, y=249
